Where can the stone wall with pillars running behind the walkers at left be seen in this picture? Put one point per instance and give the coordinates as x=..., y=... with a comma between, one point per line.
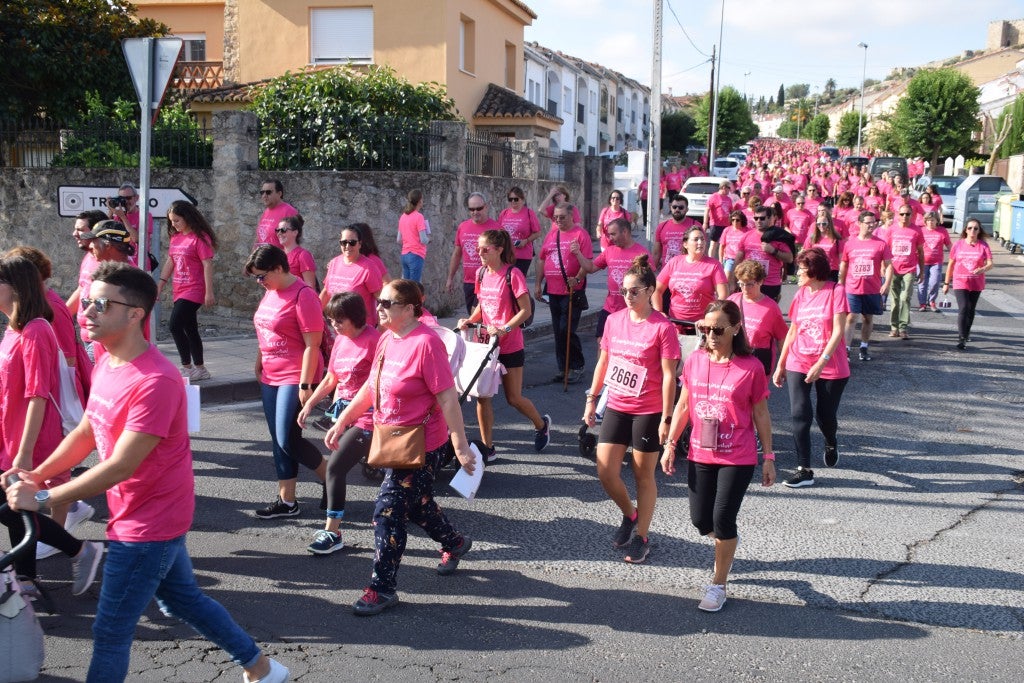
x=228, y=195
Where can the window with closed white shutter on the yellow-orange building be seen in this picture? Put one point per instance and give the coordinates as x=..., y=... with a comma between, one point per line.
x=342, y=34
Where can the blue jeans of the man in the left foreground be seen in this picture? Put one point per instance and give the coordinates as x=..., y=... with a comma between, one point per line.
x=135, y=574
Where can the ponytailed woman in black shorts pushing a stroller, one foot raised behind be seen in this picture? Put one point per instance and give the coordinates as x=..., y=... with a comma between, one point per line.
x=502, y=311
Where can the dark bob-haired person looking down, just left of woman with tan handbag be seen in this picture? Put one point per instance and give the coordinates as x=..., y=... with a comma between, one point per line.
x=348, y=371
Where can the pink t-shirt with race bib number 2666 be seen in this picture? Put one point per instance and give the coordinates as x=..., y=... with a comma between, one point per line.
x=635, y=351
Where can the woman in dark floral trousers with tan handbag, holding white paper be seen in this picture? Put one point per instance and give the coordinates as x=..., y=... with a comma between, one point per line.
x=410, y=383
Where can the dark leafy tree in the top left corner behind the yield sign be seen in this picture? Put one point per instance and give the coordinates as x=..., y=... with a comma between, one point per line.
x=55, y=53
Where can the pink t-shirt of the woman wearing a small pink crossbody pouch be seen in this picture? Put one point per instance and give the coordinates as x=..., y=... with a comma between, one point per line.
x=727, y=393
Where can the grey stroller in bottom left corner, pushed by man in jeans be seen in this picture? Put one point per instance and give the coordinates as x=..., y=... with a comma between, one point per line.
x=22, y=650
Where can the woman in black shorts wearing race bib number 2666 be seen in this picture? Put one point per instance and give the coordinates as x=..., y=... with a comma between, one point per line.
x=637, y=366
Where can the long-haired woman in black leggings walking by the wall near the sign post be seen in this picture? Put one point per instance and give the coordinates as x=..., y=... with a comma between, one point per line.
x=190, y=261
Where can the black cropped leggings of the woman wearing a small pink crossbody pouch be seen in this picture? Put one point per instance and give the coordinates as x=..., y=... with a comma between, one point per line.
x=716, y=494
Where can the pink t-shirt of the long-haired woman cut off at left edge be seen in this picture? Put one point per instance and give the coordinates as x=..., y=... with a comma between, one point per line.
x=29, y=370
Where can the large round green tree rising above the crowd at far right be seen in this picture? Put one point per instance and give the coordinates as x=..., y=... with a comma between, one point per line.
x=937, y=115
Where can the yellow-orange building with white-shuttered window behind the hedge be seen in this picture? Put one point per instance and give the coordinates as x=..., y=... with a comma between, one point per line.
x=464, y=45
